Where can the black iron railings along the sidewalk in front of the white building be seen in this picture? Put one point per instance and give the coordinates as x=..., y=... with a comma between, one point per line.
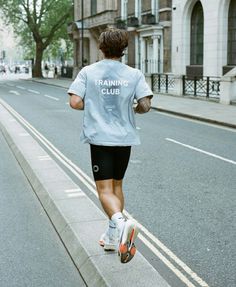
x=208, y=87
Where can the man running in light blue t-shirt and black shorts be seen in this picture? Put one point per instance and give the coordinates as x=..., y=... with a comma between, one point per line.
x=106, y=91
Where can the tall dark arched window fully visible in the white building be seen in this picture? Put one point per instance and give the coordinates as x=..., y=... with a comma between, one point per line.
x=197, y=35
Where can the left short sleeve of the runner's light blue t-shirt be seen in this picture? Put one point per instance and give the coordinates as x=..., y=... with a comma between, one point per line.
x=78, y=87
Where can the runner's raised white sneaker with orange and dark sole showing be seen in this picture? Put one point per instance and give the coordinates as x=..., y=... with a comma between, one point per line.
x=126, y=248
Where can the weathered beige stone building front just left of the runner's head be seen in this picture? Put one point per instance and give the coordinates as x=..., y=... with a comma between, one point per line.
x=97, y=16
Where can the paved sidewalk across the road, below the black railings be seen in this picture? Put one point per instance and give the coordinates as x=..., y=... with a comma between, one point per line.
x=199, y=109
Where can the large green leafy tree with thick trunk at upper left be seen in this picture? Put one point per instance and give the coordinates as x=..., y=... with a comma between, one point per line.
x=42, y=20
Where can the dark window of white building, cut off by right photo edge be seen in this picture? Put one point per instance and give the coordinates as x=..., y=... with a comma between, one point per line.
x=232, y=34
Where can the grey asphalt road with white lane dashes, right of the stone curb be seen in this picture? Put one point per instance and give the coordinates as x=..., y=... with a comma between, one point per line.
x=180, y=183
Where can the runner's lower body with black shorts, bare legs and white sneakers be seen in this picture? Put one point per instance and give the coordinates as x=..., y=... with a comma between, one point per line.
x=111, y=162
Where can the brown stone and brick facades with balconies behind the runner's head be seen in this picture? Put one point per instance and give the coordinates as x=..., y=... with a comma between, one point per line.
x=147, y=21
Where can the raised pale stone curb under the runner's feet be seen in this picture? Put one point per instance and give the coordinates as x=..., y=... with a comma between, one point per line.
x=77, y=220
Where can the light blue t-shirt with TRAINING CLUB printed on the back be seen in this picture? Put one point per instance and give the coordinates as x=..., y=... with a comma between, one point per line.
x=108, y=89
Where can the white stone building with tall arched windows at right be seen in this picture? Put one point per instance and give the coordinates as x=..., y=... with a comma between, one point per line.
x=204, y=41
